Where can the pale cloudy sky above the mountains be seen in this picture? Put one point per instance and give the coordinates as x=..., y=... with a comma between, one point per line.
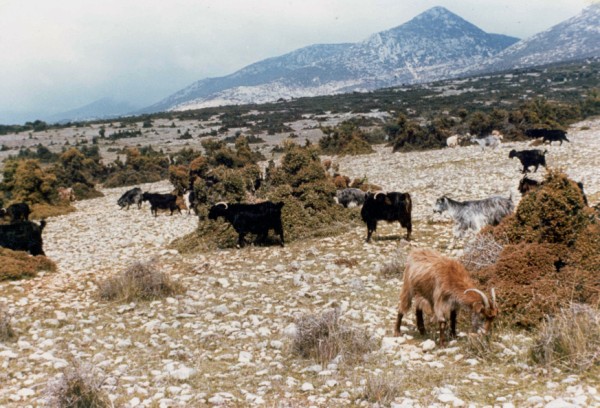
x=63, y=54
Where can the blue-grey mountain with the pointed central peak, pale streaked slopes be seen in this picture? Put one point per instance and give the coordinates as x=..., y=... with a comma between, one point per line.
x=436, y=44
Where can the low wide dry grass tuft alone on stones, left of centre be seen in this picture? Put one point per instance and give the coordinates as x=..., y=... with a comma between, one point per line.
x=141, y=281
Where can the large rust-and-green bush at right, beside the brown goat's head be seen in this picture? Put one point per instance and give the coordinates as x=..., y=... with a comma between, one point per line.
x=549, y=255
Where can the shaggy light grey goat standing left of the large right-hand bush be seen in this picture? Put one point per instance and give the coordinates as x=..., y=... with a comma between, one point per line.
x=474, y=214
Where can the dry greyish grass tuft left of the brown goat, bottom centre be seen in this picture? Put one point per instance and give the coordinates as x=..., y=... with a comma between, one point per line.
x=323, y=337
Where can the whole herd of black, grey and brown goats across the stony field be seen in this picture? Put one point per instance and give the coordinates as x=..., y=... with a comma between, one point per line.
x=438, y=285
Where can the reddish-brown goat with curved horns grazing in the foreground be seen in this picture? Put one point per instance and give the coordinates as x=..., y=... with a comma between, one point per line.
x=445, y=285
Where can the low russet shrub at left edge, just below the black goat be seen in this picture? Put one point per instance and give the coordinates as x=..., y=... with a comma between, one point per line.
x=19, y=264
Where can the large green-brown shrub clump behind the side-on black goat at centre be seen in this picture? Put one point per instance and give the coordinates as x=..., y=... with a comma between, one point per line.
x=300, y=182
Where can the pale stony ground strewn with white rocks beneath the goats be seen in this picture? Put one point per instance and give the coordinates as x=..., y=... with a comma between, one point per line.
x=227, y=340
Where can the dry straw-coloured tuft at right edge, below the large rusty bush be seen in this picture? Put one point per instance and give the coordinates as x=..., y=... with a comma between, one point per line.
x=570, y=339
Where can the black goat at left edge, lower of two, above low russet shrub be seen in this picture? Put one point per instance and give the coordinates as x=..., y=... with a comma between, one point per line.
x=23, y=236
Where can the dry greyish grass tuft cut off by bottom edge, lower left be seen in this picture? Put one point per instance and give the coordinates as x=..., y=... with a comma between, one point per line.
x=79, y=387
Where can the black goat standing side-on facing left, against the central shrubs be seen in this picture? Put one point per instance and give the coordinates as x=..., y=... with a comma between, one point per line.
x=251, y=218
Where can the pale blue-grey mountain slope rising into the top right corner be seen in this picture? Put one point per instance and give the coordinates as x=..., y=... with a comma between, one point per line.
x=573, y=39
